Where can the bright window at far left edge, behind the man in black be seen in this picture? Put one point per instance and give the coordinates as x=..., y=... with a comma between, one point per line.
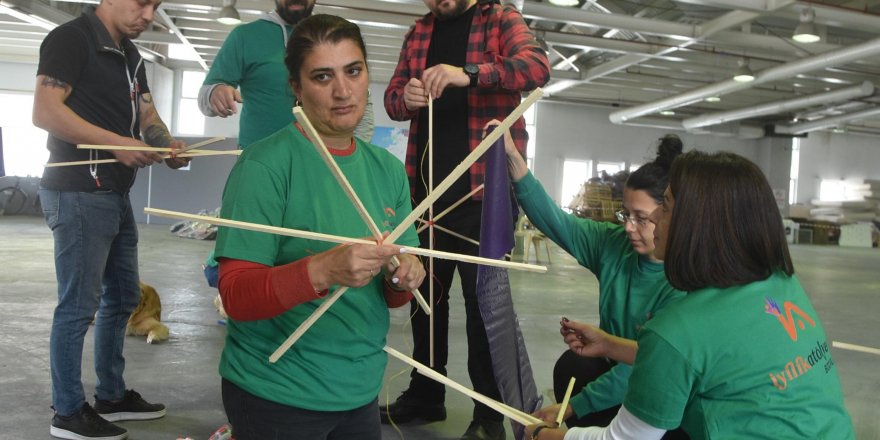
x=24, y=146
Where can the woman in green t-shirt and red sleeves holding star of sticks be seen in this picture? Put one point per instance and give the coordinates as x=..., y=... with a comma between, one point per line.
x=326, y=385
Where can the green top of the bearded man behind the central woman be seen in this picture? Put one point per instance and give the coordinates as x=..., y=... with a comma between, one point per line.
x=252, y=58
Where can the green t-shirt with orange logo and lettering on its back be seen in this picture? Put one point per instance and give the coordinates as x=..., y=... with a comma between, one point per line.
x=744, y=362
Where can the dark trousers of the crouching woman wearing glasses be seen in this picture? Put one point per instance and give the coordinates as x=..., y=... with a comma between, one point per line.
x=586, y=370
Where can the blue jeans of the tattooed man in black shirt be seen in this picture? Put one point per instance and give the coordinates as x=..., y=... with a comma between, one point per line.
x=96, y=267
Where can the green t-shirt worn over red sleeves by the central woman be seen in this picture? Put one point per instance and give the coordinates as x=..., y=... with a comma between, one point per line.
x=281, y=181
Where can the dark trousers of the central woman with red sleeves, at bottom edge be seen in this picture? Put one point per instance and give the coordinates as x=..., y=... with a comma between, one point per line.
x=253, y=418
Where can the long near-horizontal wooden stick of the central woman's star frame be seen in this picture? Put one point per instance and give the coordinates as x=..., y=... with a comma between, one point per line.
x=308, y=235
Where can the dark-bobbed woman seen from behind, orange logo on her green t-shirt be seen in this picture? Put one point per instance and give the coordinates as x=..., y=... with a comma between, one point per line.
x=744, y=354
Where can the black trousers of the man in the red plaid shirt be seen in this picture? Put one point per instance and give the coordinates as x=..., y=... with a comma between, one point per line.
x=464, y=220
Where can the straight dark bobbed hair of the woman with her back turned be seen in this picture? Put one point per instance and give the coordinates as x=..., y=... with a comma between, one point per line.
x=726, y=229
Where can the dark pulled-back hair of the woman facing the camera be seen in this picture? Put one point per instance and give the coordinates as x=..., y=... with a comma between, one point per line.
x=315, y=30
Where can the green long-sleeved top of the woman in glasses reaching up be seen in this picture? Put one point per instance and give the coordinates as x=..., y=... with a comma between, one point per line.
x=632, y=288
